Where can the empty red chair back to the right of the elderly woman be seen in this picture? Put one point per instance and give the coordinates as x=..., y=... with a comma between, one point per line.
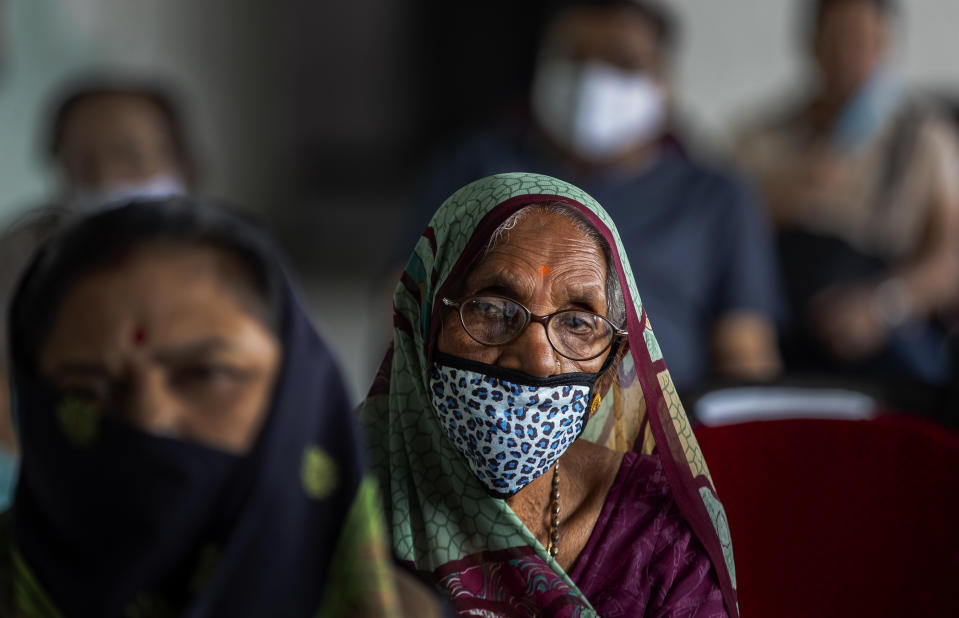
x=840, y=518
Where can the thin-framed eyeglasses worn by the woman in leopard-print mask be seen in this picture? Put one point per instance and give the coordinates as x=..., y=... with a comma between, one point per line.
x=494, y=320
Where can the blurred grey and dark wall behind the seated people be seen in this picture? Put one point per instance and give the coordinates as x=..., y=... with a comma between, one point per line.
x=319, y=115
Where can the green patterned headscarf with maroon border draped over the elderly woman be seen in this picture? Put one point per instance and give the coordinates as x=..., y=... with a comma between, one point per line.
x=443, y=522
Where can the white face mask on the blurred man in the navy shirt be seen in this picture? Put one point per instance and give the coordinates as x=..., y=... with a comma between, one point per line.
x=596, y=110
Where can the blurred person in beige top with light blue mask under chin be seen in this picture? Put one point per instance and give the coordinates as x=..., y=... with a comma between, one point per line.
x=862, y=181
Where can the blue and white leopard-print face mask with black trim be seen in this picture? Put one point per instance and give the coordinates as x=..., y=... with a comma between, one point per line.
x=510, y=426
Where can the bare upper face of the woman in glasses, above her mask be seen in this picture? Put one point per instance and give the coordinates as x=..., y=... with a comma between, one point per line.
x=548, y=264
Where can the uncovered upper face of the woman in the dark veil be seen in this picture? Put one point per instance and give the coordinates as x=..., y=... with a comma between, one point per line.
x=165, y=342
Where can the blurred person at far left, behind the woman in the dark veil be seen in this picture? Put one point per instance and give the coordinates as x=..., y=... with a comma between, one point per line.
x=109, y=141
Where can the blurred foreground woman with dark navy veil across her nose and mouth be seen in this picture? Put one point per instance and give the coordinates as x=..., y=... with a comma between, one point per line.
x=187, y=442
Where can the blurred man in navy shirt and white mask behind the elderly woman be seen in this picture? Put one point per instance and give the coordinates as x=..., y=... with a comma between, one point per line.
x=600, y=103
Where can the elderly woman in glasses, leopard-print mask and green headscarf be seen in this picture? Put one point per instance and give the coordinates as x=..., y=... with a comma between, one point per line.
x=524, y=426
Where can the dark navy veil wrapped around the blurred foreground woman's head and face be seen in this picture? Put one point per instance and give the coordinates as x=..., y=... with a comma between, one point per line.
x=109, y=520
